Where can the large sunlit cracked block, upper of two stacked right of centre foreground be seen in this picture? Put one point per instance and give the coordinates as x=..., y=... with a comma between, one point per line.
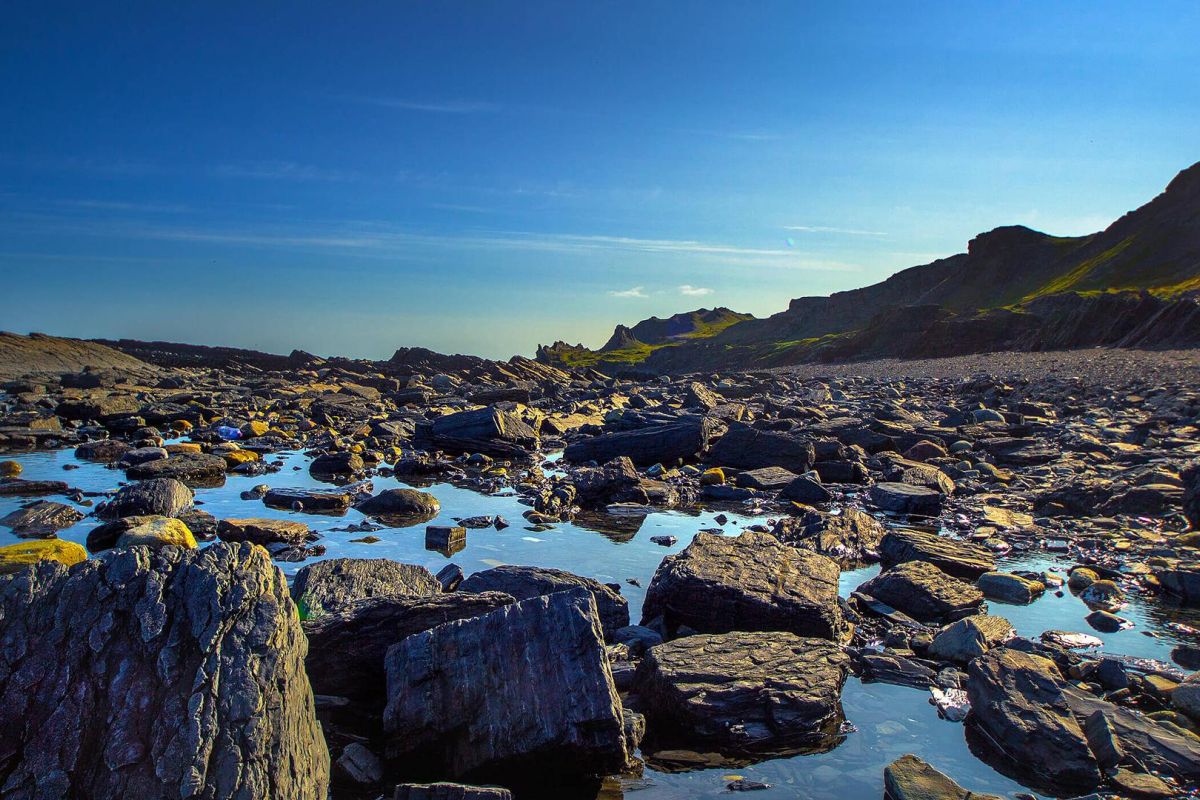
x=747, y=584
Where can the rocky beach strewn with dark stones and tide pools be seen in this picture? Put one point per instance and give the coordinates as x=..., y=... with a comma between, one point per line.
x=449, y=578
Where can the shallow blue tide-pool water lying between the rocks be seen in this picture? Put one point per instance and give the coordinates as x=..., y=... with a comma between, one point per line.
x=886, y=721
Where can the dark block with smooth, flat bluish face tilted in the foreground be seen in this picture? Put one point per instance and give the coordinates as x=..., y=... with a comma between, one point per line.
x=493, y=696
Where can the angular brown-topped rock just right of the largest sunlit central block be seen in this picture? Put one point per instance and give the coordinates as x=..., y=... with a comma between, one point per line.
x=925, y=593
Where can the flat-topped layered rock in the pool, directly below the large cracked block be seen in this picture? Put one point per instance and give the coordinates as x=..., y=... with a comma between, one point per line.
x=746, y=691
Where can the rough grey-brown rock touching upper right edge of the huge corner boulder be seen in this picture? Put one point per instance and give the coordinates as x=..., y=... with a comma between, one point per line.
x=328, y=586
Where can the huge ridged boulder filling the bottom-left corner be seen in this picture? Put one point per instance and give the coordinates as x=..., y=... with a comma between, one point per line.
x=160, y=673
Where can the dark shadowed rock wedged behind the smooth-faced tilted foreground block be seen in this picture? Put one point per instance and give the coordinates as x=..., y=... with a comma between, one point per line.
x=347, y=646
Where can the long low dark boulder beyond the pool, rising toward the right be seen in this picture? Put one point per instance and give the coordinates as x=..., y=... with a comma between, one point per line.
x=685, y=440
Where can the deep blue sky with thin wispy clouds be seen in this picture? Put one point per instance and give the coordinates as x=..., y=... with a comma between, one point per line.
x=482, y=177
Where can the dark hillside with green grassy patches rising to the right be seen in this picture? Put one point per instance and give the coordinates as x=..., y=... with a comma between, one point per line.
x=1135, y=285
